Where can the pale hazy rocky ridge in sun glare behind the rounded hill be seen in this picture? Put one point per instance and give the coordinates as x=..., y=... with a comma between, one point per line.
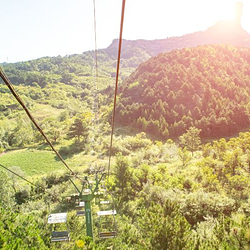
x=223, y=32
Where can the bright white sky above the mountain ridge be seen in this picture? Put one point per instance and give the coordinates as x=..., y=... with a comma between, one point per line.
x=32, y=29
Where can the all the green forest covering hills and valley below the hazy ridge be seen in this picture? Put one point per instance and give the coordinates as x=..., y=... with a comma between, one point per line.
x=180, y=166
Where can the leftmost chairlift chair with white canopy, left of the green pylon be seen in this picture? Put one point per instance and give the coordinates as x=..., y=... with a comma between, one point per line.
x=62, y=235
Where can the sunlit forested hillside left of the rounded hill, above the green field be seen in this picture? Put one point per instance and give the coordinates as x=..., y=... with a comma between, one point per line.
x=57, y=90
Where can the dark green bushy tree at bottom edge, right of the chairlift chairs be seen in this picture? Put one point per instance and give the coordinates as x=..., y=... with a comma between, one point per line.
x=164, y=227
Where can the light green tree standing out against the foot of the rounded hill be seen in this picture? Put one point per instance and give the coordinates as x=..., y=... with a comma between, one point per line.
x=191, y=139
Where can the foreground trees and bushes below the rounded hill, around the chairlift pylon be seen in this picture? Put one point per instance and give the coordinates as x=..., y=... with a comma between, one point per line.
x=166, y=198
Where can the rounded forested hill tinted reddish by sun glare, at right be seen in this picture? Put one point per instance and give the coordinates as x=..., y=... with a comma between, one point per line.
x=206, y=87
